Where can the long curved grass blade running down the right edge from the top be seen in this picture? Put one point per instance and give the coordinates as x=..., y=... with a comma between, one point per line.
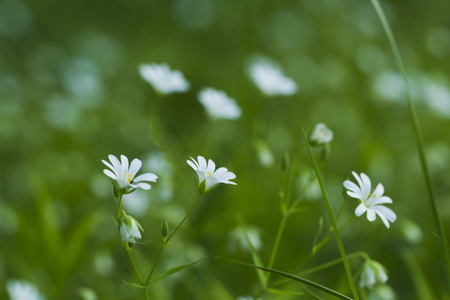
x=416, y=126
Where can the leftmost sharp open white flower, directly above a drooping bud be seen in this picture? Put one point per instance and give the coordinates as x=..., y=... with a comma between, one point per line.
x=124, y=178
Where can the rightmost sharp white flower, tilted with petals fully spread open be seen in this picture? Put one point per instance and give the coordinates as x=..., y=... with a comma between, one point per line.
x=370, y=201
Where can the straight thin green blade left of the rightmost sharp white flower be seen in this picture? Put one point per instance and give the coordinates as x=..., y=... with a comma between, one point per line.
x=333, y=223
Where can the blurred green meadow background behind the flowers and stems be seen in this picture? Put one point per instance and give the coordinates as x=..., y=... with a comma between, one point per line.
x=71, y=94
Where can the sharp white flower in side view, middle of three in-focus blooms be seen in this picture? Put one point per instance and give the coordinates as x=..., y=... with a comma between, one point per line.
x=207, y=175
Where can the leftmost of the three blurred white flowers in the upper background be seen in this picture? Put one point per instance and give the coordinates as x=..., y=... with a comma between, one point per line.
x=164, y=80
